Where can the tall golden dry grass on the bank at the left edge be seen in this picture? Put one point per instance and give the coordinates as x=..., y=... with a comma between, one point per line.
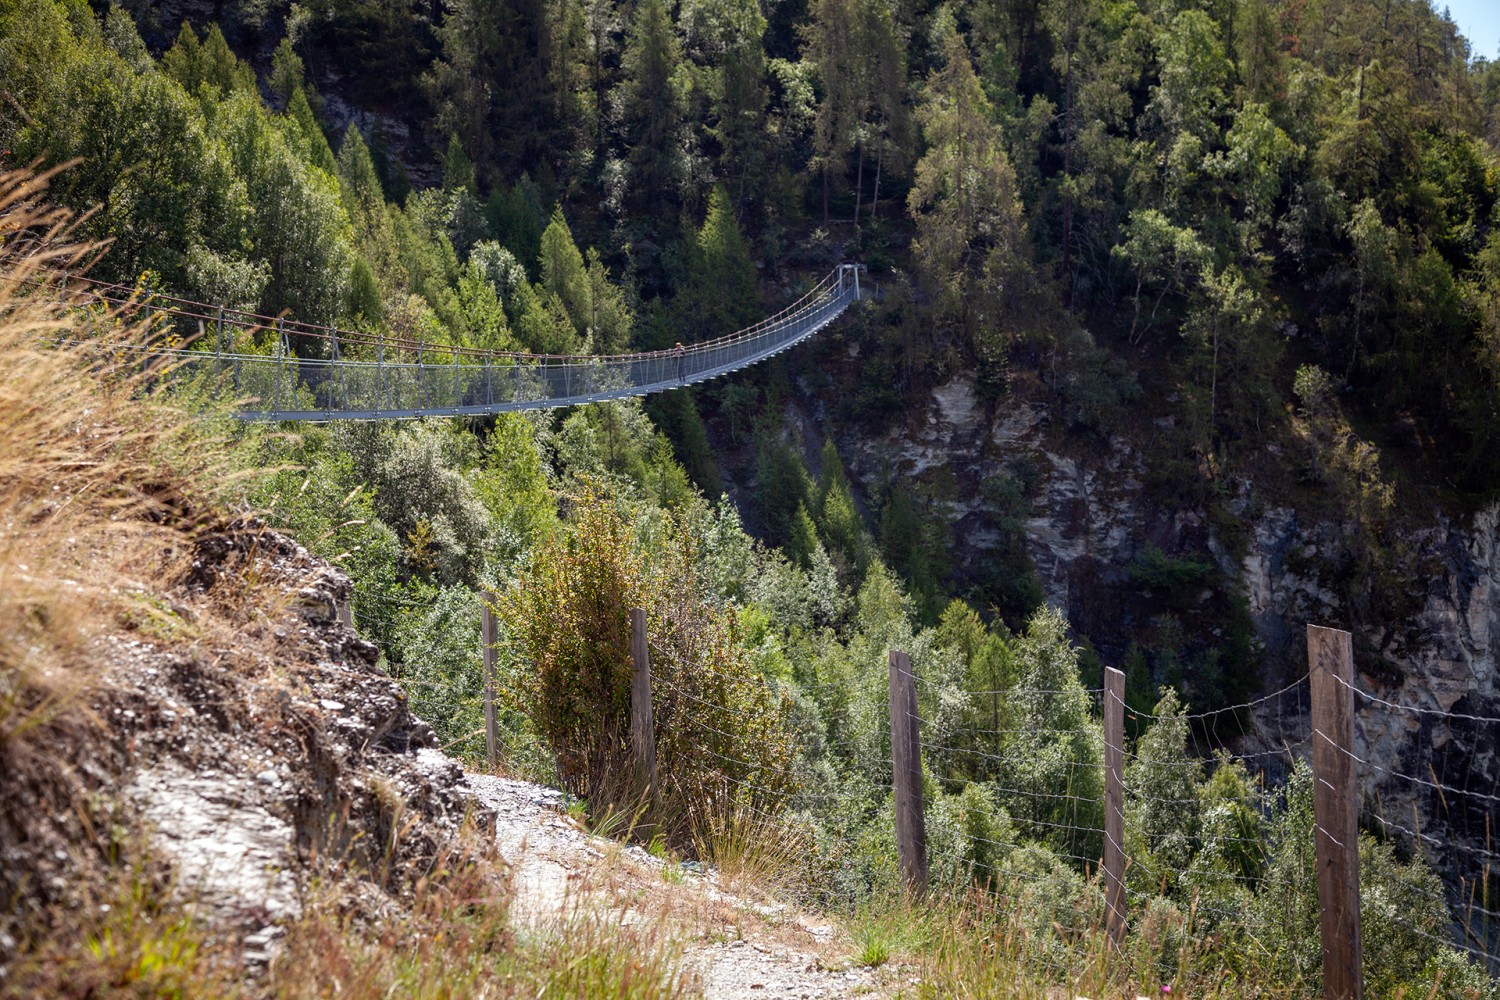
x=95, y=472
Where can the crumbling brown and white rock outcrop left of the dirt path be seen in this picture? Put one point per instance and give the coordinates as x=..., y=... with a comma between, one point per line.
x=236, y=755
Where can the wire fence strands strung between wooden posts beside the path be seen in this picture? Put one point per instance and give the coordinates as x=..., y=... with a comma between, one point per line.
x=1231, y=771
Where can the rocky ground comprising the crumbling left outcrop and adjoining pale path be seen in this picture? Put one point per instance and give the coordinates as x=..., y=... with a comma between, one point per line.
x=242, y=753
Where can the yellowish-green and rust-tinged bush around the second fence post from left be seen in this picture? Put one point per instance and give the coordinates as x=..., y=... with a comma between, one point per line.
x=721, y=731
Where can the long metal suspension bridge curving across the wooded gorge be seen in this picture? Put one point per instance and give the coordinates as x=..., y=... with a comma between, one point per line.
x=311, y=373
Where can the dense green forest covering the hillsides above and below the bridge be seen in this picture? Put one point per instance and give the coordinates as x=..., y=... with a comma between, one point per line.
x=1237, y=223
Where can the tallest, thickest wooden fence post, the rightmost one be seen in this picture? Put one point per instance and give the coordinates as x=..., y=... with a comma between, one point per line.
x=1331, y=672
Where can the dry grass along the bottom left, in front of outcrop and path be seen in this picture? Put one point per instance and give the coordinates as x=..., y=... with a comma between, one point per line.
x=452, y=939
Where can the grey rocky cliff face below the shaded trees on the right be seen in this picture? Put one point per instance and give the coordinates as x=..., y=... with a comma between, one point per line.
x=1090, y=521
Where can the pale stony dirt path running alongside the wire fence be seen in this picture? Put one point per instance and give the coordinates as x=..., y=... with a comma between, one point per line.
x=737, y=947
